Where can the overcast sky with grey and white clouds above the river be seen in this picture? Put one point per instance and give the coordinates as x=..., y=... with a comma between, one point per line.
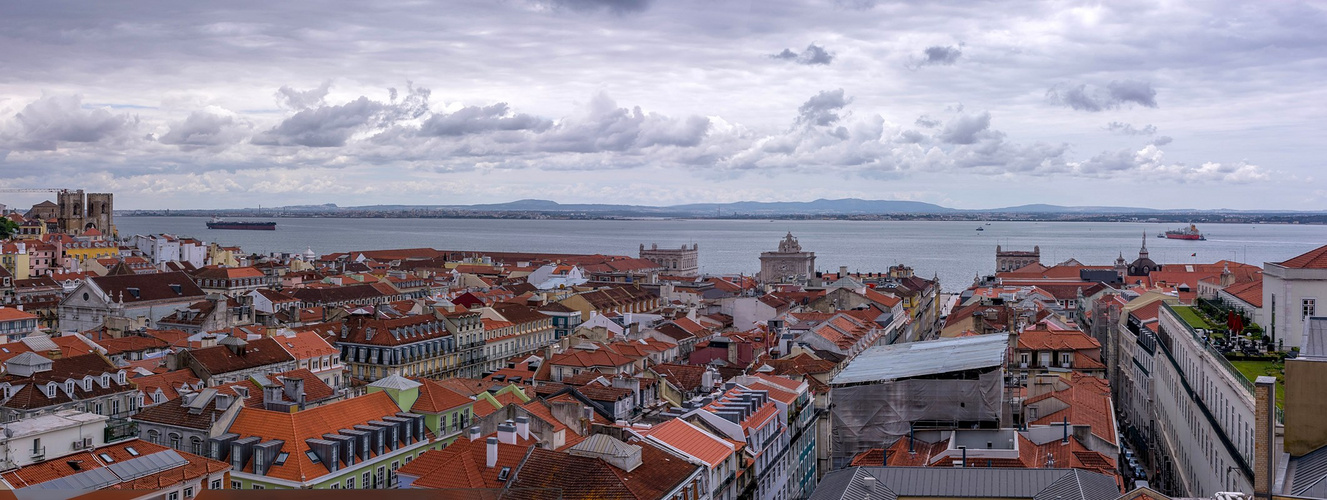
x=197, y=105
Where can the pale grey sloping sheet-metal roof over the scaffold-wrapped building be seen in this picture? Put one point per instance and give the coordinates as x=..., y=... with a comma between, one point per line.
x=907, y=360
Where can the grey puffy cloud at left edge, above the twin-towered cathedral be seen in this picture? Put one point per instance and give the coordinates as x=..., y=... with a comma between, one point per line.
x=54, y=120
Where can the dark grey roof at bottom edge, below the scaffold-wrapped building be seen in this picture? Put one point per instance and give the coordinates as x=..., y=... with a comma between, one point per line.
x=957, y=482
